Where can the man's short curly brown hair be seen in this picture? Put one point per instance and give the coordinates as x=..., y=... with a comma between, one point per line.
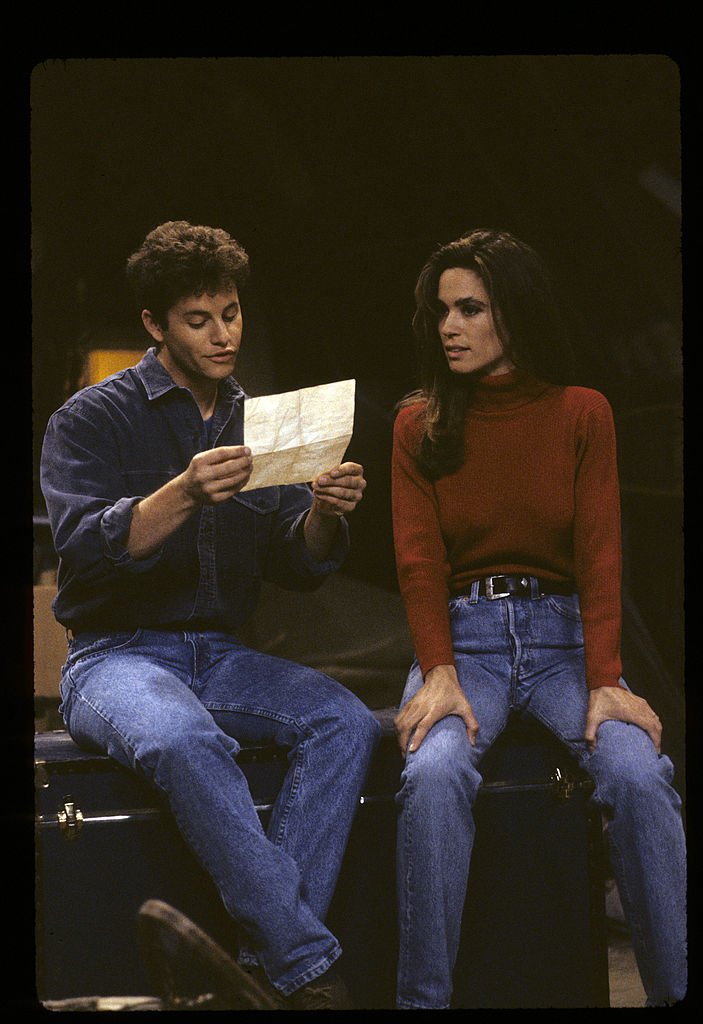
x=179, y=260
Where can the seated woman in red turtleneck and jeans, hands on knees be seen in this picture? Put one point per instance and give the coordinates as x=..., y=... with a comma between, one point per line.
x=507, y=527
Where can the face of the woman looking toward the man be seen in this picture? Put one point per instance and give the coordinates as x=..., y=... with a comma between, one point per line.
x=466, y=326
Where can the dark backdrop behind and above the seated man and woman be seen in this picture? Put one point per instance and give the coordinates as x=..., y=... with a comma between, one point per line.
x=340, y=176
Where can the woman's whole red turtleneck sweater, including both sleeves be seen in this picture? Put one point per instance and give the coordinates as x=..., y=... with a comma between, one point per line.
x=538, y=494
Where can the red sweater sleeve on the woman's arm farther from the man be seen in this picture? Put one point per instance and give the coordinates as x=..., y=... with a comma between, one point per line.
x=598, y=559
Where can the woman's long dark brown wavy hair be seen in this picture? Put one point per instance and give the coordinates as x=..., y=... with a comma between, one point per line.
x=528, y=321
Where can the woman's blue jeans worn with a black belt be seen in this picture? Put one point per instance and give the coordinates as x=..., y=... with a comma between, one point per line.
x=529, y=655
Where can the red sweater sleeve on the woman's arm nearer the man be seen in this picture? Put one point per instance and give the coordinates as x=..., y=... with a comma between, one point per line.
x=421, y=554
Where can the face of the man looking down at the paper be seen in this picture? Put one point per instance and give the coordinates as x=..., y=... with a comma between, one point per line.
x=202, y=338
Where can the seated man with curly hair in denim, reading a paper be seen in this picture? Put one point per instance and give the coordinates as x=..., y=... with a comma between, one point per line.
x=162, y=558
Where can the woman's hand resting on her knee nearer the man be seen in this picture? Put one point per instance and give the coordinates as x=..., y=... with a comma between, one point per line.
x=441, y=696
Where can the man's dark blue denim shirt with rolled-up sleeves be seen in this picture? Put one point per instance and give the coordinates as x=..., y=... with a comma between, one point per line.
x=114, y=444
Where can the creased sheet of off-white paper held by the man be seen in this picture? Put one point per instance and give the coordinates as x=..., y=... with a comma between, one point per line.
x=297, y=436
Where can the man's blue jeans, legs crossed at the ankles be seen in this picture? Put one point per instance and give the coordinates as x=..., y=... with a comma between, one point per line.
x=175, y=707
